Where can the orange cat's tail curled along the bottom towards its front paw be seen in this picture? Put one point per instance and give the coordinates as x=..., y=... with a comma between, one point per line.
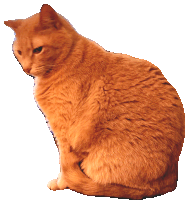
x=79, y=182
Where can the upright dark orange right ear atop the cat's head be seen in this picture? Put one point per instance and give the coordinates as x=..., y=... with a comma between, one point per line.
x=49, y=18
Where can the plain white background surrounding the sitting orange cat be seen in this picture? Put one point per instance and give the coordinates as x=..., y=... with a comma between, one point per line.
x=152, y=31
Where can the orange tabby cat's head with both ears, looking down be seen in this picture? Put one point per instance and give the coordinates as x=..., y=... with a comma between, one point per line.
x=41, y=41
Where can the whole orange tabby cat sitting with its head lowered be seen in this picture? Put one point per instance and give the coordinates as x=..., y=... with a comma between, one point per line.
x=119, y=124
